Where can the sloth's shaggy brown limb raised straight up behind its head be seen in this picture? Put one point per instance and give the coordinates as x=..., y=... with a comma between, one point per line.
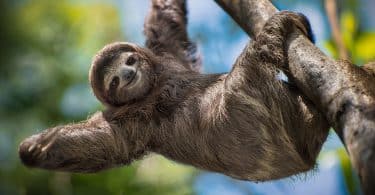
x=166, y=33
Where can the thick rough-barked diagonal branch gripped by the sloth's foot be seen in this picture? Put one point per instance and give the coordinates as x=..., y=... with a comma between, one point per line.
x=343, y=93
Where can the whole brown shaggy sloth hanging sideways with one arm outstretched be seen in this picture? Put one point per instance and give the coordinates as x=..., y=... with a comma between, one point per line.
x=246, y=123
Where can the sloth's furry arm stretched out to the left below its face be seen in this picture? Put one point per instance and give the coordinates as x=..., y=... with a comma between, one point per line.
x=88, y=146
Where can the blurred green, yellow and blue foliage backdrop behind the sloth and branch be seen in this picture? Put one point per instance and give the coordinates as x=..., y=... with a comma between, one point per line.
x=45, y=54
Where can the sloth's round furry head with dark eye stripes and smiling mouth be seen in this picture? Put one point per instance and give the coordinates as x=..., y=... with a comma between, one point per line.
x=121, y=72
